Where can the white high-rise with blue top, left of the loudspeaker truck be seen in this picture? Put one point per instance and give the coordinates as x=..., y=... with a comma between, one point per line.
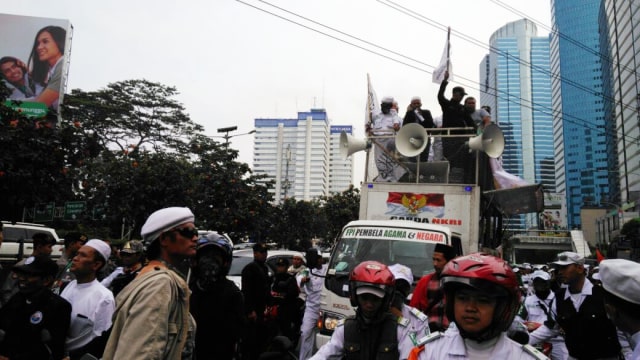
x=302, y=156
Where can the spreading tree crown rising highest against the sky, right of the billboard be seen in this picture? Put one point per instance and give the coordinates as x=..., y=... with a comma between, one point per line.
x=132, y=116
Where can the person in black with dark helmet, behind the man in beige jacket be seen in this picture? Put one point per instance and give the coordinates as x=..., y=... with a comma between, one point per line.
x=215, y=300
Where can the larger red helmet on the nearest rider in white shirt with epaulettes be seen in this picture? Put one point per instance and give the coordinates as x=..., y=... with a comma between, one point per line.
x=488, y=274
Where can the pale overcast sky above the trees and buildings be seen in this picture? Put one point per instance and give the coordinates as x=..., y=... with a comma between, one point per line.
x=233, y=62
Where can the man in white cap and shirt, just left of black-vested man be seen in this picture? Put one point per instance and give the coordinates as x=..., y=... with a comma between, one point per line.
x=536, y=311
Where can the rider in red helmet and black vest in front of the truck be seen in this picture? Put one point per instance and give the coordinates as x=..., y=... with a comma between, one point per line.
x=373, y=332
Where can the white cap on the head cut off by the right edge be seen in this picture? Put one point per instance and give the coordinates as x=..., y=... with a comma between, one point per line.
x=621, y=278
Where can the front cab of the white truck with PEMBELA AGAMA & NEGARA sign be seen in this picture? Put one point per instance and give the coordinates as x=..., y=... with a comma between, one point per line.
x=390, y=242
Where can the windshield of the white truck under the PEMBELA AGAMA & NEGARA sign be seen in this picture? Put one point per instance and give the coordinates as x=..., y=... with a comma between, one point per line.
x=350, y=252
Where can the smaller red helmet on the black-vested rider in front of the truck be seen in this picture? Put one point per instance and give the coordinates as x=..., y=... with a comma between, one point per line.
x=372, y=274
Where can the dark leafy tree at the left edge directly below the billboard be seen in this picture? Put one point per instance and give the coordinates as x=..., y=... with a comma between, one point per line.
x=36, y=160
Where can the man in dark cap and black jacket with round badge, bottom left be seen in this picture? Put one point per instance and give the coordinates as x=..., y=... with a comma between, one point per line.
x=35, y=321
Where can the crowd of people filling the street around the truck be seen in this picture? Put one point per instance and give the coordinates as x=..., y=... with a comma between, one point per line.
x=134, y=301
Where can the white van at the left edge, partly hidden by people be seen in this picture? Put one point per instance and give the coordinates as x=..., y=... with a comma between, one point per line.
x=18, y=241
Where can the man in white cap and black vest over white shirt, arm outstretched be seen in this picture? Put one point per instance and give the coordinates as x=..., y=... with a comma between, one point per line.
x=578, y=311
